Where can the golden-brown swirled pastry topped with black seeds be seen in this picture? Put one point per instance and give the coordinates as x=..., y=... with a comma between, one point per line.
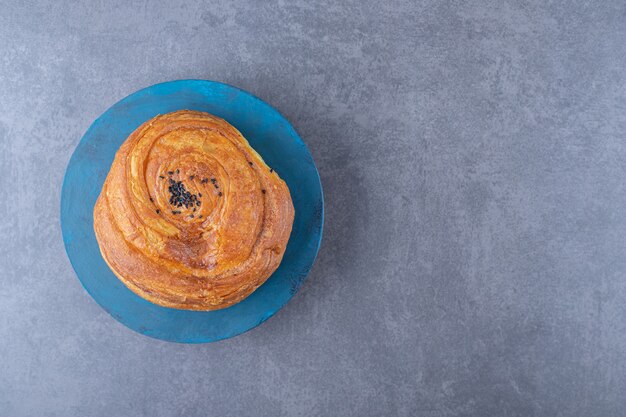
x=190, y=216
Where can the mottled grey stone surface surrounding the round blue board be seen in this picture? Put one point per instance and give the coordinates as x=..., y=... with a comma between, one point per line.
x=473, y=157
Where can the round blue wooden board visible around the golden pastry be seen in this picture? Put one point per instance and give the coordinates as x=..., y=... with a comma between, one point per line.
x=268, y=132
